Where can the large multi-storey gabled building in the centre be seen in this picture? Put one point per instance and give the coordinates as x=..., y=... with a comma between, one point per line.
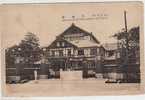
x=76, y=49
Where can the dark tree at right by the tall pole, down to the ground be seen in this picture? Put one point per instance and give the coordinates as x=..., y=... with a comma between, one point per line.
x=129, y=53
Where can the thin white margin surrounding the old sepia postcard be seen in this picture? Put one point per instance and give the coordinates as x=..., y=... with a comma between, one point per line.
x=127, y=97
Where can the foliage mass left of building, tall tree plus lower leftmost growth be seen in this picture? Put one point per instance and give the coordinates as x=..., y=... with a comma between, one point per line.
x=28, y=51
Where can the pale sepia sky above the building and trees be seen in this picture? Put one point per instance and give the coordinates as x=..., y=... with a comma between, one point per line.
x=45, y=20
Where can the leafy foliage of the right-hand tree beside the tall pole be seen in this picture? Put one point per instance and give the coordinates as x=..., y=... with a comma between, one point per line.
x=129, y=45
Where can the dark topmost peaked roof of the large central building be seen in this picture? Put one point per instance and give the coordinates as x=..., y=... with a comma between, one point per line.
x=75, y=29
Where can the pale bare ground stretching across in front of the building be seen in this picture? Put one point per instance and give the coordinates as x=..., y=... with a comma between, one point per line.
x=56, y=87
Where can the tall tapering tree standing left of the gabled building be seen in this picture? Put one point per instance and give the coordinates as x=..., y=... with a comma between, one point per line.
x=30, y=49
